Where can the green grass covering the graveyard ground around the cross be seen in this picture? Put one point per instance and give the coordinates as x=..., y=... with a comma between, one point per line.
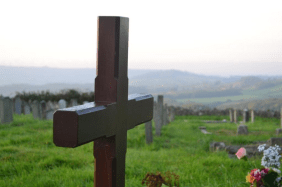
x=28, y=156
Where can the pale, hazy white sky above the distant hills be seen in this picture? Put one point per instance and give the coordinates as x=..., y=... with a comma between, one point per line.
x=209, y=37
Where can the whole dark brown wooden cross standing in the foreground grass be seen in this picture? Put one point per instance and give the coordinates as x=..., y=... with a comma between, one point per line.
x=106, y=121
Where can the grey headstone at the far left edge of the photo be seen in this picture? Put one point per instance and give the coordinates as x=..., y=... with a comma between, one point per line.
x=6, y=110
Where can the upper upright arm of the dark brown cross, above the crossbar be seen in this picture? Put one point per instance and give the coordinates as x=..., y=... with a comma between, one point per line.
x=112, y=60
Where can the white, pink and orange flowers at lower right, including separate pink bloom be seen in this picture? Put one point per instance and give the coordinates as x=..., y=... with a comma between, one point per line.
x=269, y=174
